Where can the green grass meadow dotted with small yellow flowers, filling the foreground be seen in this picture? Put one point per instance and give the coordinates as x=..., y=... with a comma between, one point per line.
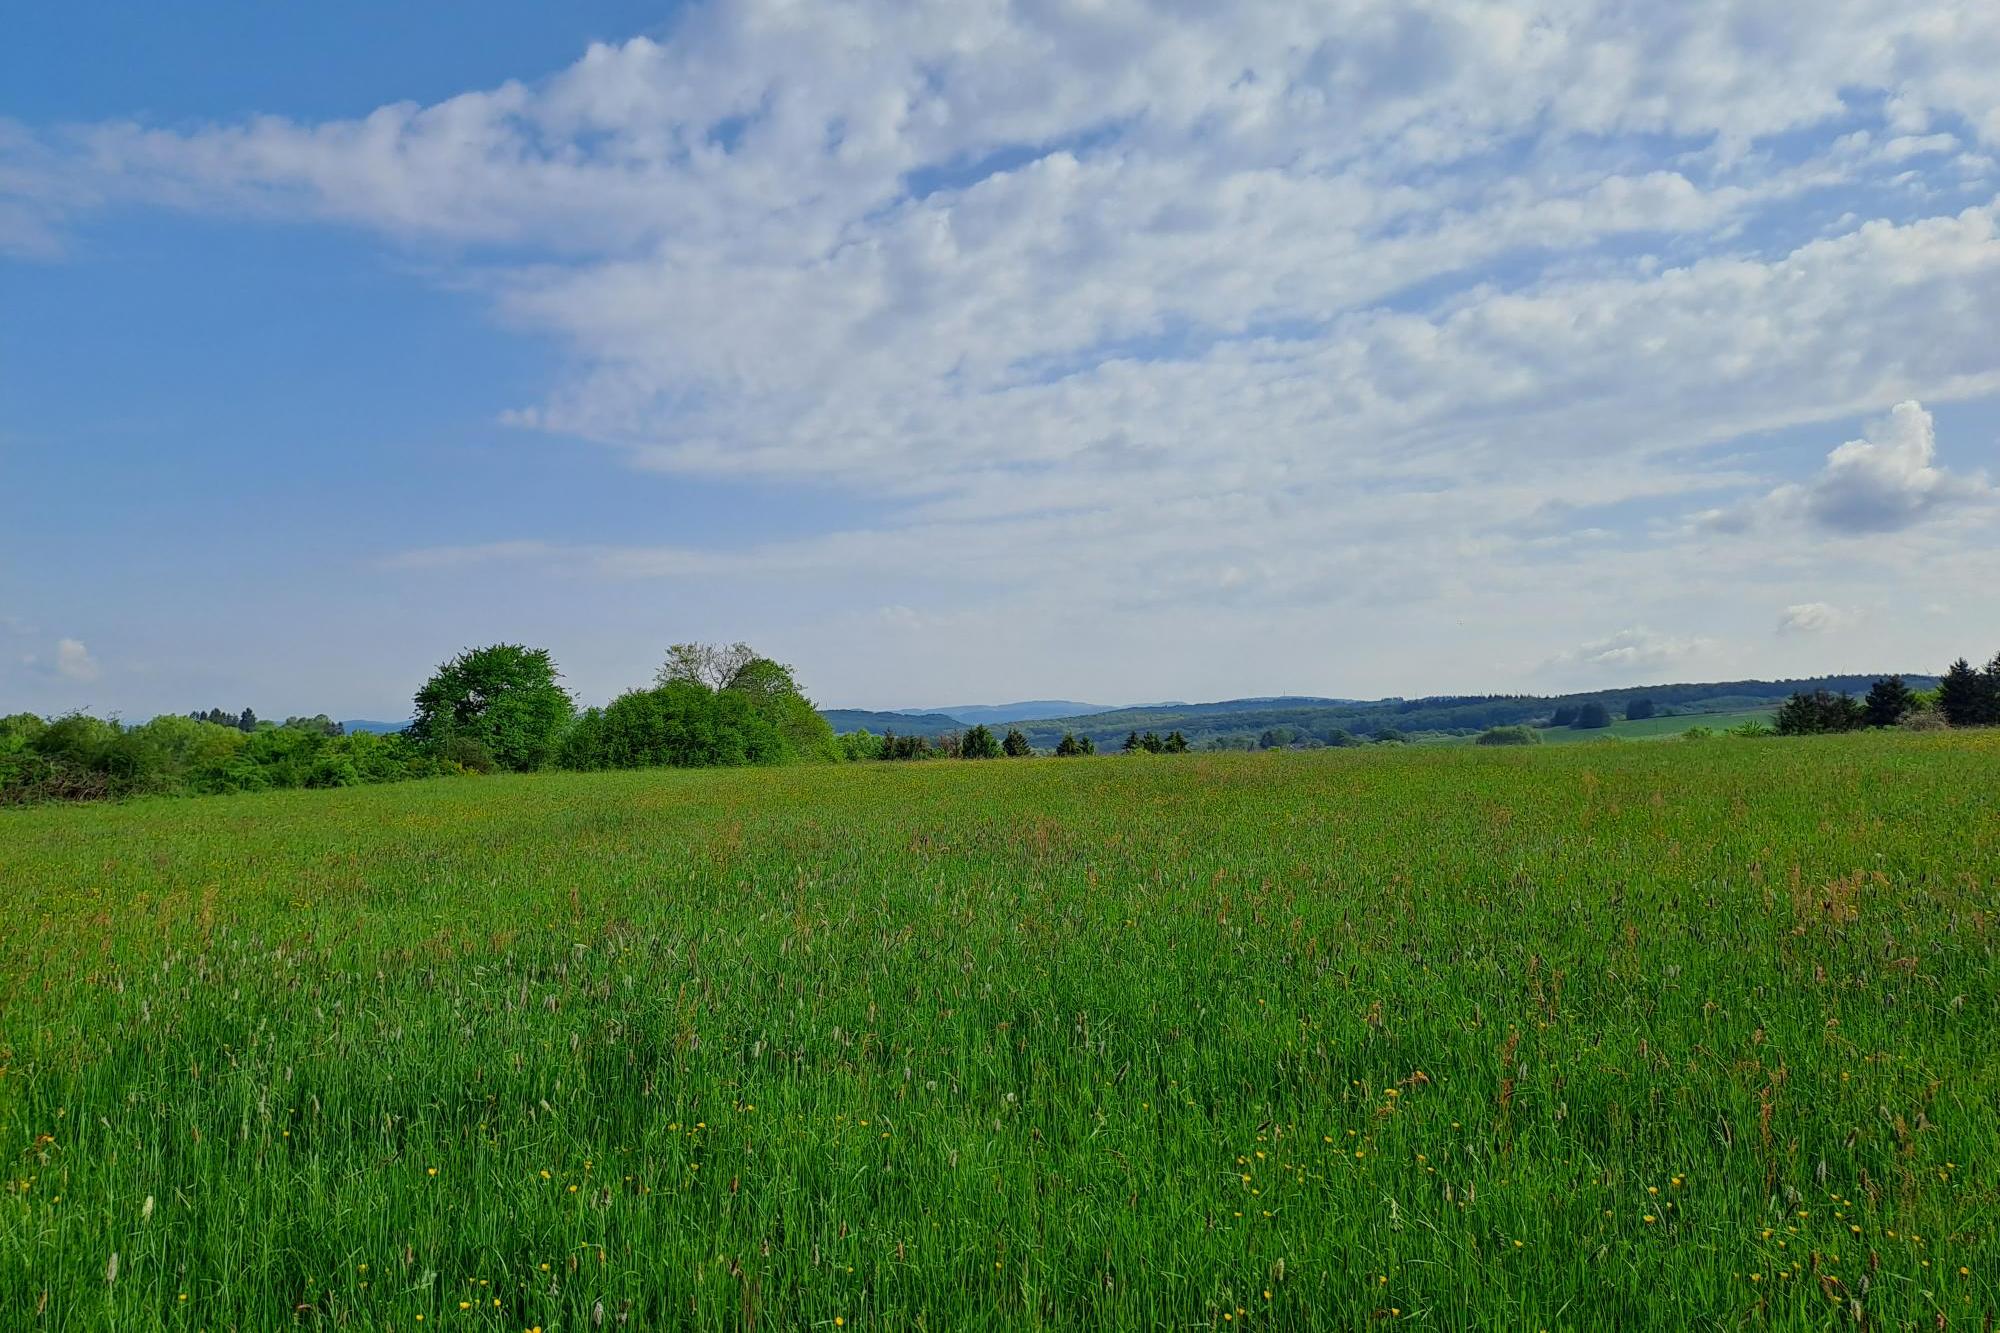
x=1687, y=1036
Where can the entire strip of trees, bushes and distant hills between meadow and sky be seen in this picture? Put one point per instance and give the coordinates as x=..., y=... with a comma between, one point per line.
x=503, y=710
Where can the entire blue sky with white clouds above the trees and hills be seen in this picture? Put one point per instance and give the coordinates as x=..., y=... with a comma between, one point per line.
x=995, y=351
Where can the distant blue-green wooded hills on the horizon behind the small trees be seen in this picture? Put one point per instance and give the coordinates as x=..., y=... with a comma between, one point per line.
x=1303, y=720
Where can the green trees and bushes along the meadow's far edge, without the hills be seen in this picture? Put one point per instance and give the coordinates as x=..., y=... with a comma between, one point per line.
x=503, y=710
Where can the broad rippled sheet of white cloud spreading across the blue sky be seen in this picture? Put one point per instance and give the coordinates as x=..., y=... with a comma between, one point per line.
x=1275, y=311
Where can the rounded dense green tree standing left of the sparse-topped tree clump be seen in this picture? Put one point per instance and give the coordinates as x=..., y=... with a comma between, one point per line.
x=503, y=700
